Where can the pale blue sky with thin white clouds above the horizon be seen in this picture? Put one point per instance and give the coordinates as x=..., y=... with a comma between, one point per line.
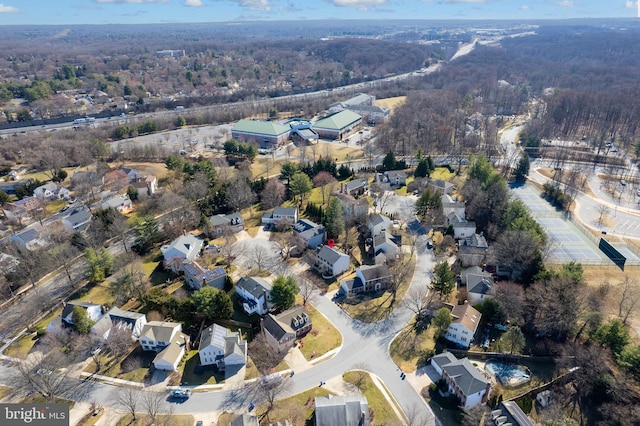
x=68, y=12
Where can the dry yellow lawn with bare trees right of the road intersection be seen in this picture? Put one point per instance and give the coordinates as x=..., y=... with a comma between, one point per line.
x=408, y=349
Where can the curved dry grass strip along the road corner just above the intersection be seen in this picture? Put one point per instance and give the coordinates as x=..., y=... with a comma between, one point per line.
x=374, y=307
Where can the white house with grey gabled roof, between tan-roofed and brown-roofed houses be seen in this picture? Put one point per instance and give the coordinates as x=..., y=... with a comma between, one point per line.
x=221, y=347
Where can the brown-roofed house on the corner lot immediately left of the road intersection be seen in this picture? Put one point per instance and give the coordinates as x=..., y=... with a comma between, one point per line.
x=283, y=329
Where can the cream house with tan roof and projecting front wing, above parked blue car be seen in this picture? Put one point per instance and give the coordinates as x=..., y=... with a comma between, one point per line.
x=167, y=339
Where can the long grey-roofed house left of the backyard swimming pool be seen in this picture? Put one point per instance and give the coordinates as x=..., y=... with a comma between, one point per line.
x=464, y=380
